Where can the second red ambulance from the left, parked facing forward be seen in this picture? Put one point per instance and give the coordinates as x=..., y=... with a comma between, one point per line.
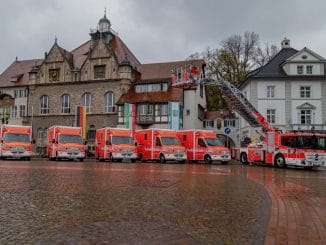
x=65, y=143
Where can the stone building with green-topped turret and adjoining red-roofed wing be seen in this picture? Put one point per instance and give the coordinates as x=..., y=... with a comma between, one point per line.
x=103, y=75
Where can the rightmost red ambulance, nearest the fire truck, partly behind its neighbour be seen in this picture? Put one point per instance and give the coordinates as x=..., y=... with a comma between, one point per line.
x=202, y=145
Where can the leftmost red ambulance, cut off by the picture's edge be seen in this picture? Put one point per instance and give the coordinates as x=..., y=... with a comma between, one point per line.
x=16, y=142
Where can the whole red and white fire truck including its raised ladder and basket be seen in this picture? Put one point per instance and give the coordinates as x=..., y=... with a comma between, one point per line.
x=277, y=148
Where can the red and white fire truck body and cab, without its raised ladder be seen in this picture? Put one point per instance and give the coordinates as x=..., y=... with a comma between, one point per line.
x=279, y=149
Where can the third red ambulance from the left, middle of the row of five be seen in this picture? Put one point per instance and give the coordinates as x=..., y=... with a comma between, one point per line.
x=115, y=144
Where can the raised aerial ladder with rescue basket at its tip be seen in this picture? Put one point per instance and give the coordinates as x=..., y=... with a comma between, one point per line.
x=234, y=98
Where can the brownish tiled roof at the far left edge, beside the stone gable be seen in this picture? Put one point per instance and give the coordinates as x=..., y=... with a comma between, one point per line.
x=17, y=74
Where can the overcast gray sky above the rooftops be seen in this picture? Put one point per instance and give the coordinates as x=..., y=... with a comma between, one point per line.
x=156, y=30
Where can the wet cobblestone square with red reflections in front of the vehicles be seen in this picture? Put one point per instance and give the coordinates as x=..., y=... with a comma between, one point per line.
x=45, y=202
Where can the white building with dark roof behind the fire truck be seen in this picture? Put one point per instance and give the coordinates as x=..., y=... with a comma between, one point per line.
x=289, y=91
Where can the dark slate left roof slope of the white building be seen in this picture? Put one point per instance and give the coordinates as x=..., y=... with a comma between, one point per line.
x=273, y=67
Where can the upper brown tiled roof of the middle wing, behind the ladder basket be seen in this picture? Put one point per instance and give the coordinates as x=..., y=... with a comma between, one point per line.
x=163, y=70
